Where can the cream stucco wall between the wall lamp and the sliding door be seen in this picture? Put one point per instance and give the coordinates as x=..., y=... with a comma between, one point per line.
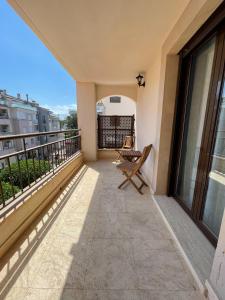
x=155, y=102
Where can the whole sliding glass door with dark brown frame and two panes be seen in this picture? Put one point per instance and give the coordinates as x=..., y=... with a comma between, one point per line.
x=197, y=179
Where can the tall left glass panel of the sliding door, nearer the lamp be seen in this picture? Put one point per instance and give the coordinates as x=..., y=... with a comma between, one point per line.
x=198, y=89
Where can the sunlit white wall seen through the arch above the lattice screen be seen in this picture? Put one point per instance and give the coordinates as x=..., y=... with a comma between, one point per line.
x=127, y=106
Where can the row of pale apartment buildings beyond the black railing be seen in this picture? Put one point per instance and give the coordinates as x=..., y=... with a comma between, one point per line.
x=21, y=116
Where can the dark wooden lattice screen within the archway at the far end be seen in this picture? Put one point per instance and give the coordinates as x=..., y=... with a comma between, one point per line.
x=113, y=129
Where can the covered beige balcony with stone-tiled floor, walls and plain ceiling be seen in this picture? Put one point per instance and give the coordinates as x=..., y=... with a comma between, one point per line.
x=82, y=238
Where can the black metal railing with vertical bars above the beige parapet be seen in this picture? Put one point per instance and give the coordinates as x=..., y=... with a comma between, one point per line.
x=20, y=170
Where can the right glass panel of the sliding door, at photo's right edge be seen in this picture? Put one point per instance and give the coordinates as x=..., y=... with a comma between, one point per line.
x=215, y=196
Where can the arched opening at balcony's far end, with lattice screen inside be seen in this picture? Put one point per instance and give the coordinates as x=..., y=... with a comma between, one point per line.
x=115, y=119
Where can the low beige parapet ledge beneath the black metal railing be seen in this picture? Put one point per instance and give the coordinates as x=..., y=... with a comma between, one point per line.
x=18, y=215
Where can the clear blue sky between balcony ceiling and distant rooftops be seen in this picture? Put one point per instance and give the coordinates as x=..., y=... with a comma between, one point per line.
x=28, y=67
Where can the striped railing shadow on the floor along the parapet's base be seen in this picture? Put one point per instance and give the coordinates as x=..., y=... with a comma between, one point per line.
x=13, y=263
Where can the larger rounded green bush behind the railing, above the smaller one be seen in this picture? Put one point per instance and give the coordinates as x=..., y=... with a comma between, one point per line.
x=28, y=172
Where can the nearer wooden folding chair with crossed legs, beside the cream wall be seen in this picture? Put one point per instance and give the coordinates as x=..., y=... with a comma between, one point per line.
x=130, y=169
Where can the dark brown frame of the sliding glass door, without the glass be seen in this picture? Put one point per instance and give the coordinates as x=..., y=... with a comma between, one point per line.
x=215, y=26
